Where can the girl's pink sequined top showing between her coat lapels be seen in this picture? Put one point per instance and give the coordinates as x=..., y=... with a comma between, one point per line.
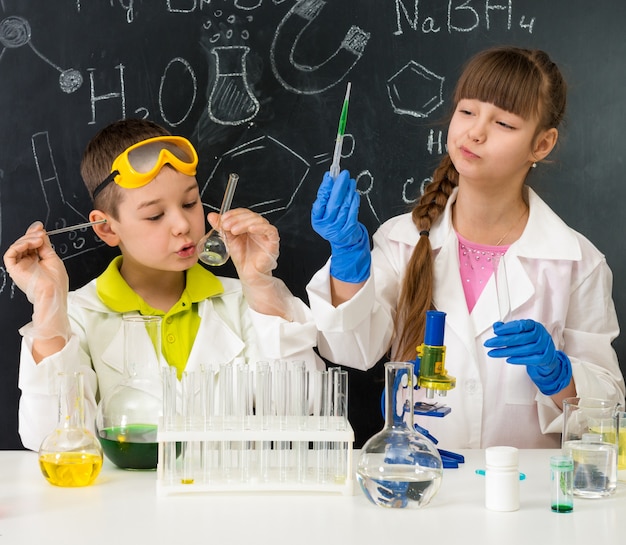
x=477, y=263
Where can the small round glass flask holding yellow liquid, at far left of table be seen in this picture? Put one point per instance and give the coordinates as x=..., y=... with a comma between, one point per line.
x=70, y=455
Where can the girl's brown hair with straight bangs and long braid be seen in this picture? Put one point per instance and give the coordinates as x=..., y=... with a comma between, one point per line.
x=524, y=82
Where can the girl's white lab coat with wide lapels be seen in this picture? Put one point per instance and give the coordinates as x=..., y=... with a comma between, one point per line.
x=555, y=276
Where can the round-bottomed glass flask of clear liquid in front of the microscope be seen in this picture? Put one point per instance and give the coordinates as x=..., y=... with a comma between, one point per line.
x=398, y=467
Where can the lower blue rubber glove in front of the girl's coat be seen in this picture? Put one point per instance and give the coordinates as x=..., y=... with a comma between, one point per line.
x=526, y=342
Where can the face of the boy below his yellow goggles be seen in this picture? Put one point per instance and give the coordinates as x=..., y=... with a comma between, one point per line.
x=161, y=222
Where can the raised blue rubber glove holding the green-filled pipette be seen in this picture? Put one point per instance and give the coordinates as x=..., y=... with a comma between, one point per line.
x=334, y=217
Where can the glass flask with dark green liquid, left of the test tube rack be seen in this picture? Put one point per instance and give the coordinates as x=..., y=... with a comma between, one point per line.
x=128, y=416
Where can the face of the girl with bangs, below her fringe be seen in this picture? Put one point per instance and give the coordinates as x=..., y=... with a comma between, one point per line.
x=490, y=145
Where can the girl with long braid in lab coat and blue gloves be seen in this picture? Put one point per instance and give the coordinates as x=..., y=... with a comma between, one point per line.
x=478, y=232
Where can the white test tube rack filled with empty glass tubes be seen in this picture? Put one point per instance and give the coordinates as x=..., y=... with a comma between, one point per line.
x=212, y=445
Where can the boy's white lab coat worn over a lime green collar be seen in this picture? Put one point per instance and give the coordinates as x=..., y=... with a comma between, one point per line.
x=229, y=331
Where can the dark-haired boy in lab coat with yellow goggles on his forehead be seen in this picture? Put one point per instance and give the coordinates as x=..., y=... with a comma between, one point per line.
x=142, y=182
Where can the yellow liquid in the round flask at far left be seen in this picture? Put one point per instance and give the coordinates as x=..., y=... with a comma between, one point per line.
x=70, y=468
